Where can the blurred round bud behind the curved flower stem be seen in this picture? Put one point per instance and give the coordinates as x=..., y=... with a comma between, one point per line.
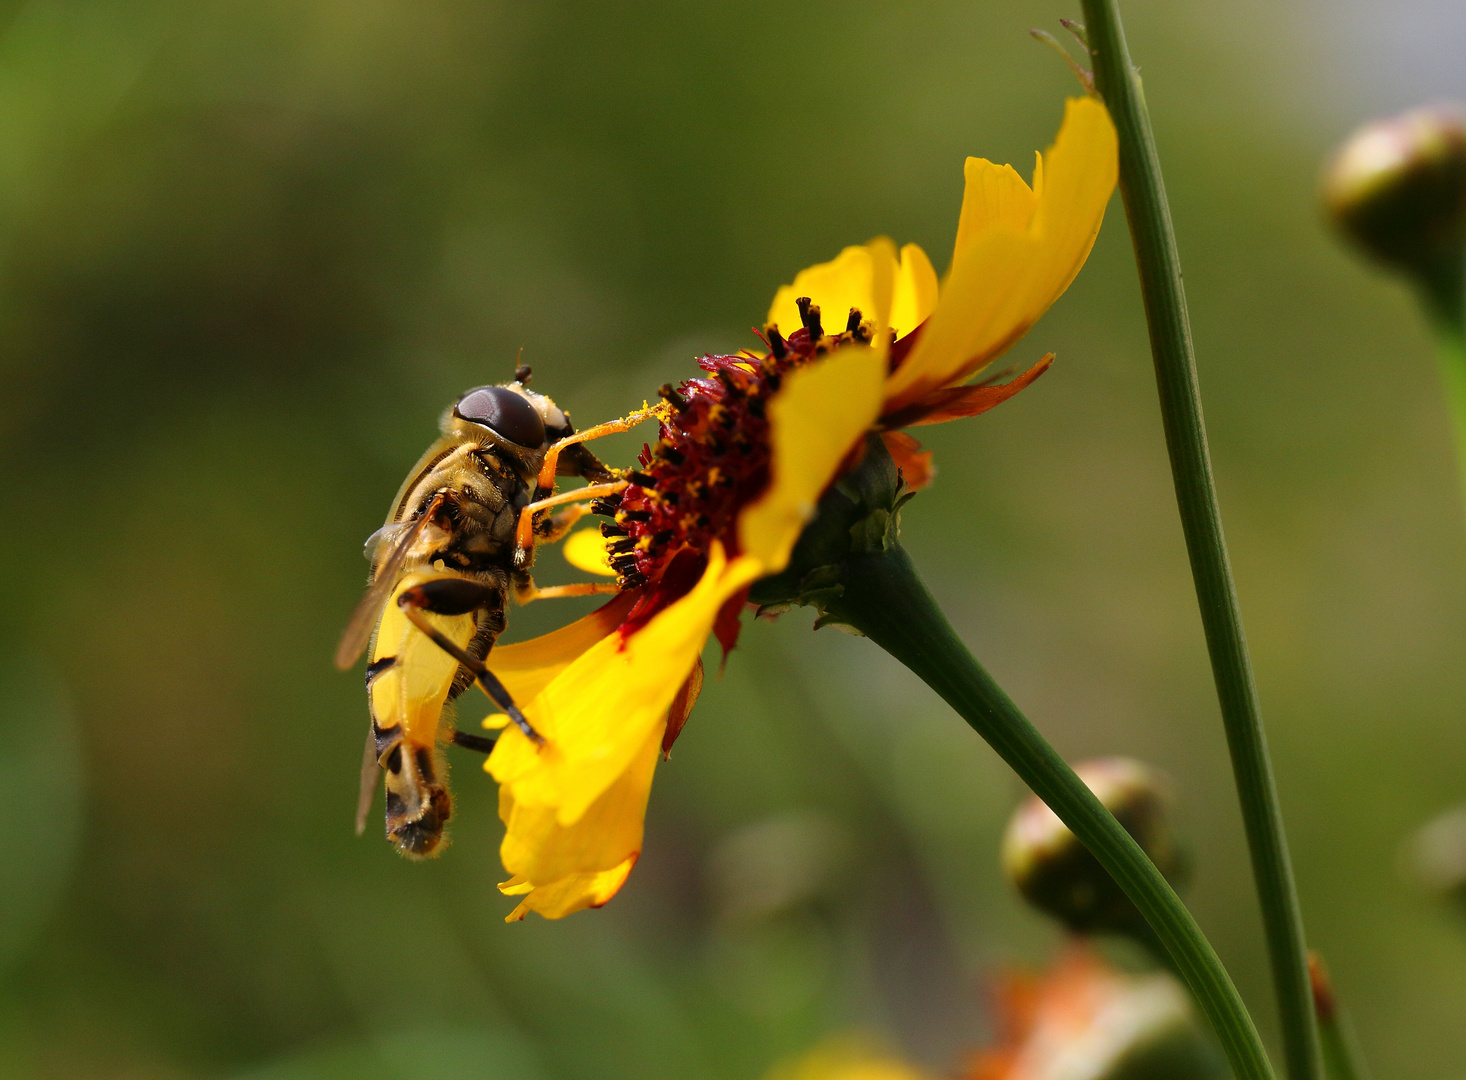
x=1059, y=876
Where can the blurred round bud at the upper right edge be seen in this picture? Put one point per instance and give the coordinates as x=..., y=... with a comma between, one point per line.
x=1398, y=188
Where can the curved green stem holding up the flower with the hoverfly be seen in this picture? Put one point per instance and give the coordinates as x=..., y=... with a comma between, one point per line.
x=886, y=600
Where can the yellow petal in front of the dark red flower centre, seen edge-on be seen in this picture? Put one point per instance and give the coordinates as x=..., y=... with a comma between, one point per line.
x=816, y=420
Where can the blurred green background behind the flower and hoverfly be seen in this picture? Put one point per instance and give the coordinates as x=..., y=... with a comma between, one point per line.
x=250, y=251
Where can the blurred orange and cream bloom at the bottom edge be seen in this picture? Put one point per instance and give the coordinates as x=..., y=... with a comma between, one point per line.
x=1086, y=1021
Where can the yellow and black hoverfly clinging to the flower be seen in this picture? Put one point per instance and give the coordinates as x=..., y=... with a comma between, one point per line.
x=458, y=541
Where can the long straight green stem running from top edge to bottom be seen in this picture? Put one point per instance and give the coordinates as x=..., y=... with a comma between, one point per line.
x=1165, y=297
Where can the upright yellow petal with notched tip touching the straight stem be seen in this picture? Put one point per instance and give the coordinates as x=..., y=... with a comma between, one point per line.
x=1005, y=278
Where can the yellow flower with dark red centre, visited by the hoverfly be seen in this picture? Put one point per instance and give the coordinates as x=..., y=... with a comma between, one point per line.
x=744, y=456
